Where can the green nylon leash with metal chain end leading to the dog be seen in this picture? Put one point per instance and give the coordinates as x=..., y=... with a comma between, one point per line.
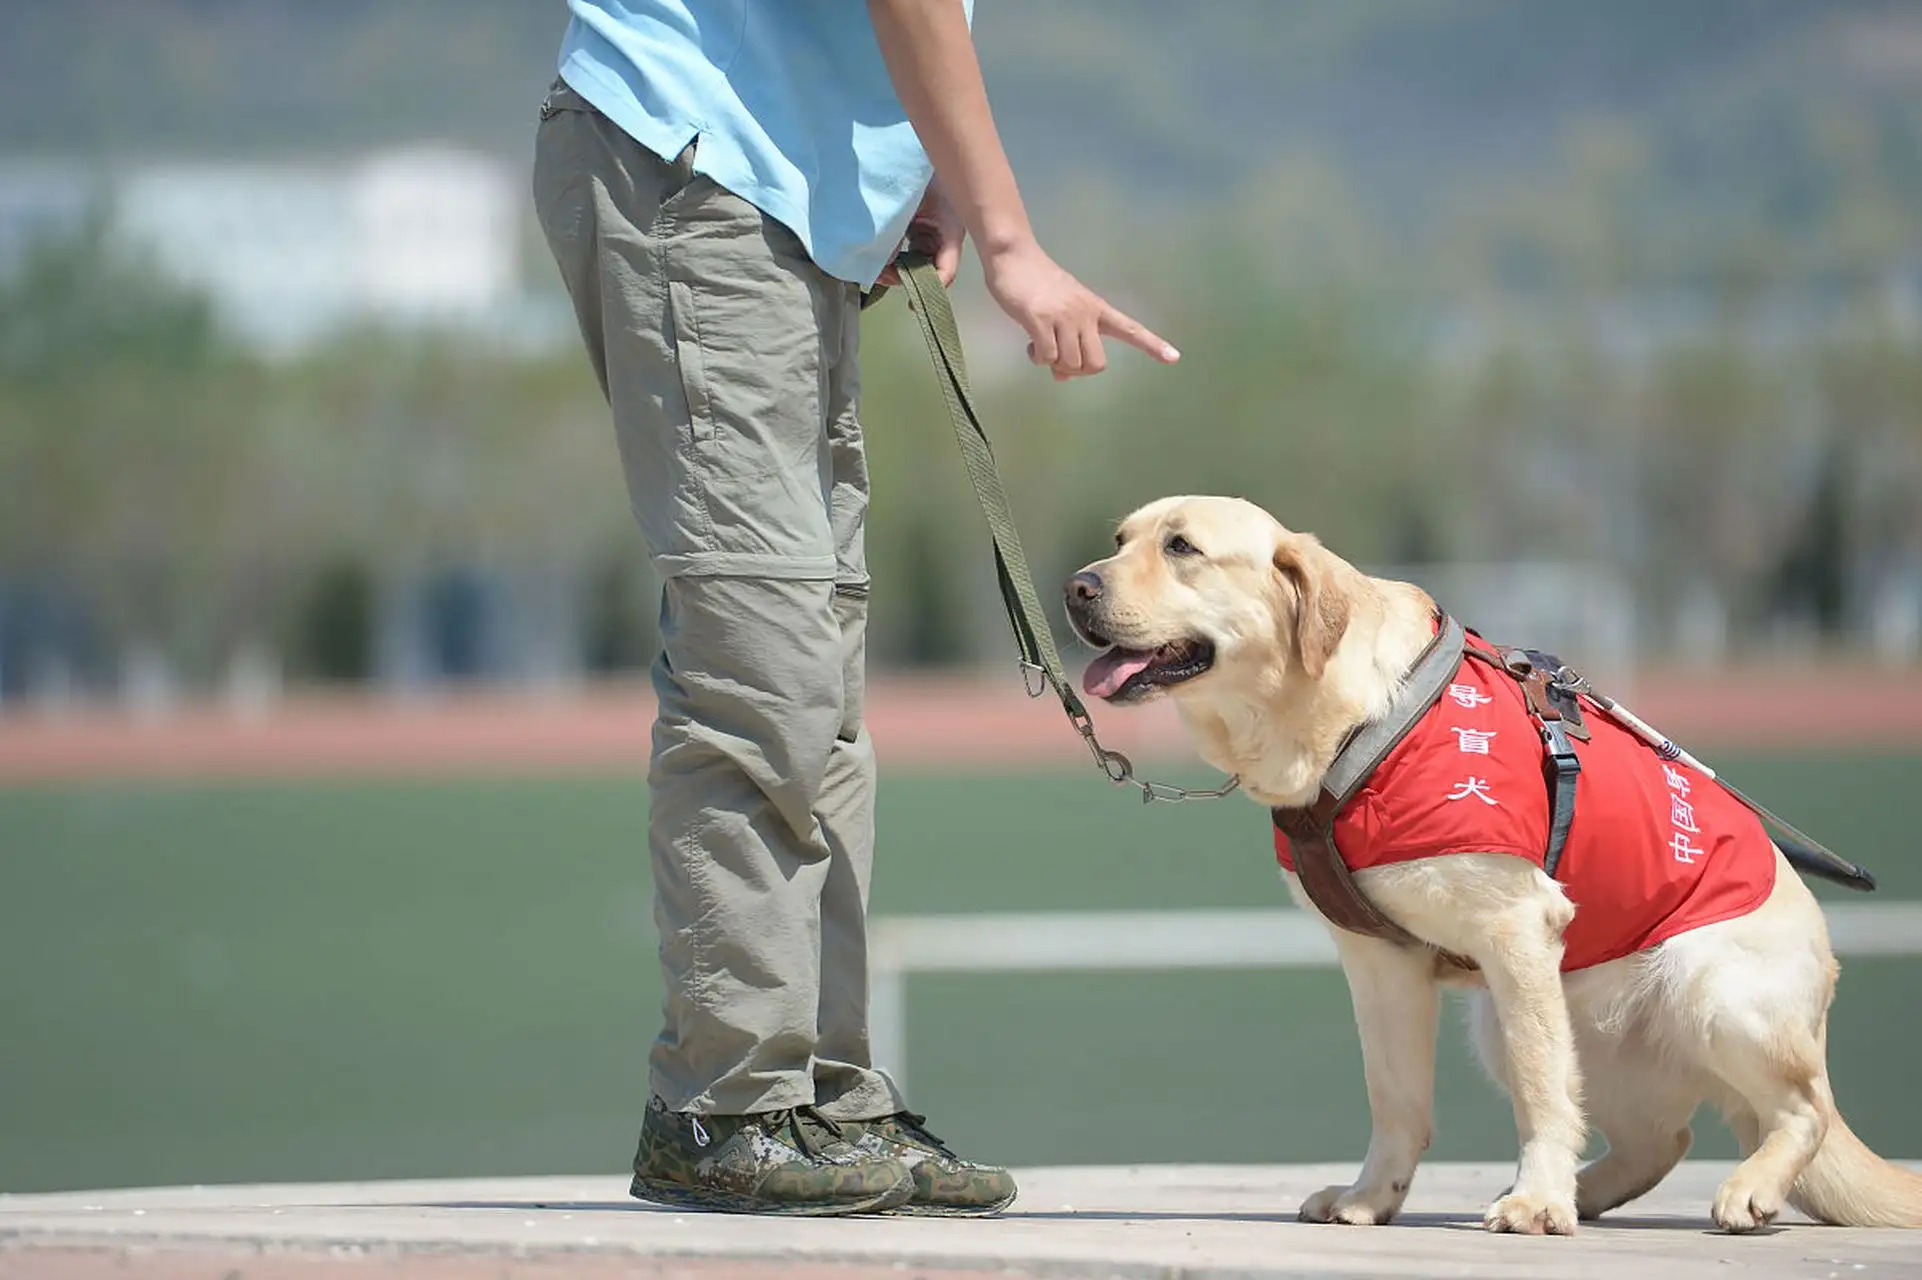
x=927, y=299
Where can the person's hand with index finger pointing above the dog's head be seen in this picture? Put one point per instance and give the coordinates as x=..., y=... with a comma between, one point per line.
x=1064, y=318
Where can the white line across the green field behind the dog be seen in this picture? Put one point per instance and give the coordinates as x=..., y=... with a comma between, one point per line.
x=1143, y=941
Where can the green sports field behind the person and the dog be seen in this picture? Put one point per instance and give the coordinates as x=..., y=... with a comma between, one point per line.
x=326, y=981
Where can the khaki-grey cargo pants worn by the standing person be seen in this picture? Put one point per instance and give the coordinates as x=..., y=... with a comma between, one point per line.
x=729, y=364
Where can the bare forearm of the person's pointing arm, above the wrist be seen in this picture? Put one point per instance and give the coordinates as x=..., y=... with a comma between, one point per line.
x=931, y=61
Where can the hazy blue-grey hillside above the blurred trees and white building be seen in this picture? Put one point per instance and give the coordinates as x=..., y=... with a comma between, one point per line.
x=1423, y=103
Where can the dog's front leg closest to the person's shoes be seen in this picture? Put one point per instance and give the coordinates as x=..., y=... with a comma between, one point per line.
x=1396, y=1000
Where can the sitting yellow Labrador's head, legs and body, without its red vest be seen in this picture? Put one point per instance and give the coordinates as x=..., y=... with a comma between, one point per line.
x=1275, y=651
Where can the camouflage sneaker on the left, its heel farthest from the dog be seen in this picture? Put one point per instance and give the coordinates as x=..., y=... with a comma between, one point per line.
x=777, y=1162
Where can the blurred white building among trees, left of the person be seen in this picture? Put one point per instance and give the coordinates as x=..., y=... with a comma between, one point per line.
x=293, y=253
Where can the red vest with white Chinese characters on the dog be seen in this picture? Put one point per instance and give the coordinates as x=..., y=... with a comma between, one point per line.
x=1656, y=849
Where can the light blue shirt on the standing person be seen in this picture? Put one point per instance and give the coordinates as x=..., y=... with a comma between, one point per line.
x=789, y=99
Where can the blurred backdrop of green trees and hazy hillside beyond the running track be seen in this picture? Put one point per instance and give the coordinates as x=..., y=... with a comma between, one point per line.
x=1631, y=287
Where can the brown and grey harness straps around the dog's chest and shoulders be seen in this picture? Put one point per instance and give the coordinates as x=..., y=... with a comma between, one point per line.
x=1552, y=704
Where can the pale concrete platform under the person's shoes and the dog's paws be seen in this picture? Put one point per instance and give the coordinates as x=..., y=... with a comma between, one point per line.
x=1116, y=1221
